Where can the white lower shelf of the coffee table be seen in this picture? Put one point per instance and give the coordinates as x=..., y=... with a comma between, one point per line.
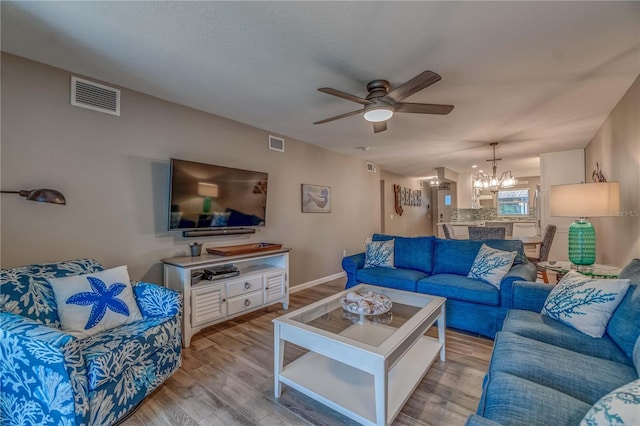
x=350, y=391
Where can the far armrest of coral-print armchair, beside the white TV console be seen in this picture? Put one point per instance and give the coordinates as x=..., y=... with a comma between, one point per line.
x=156, y=301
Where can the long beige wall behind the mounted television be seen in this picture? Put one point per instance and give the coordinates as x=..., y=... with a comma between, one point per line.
x=114, y=172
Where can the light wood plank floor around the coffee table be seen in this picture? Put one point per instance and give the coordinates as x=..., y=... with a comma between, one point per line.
x=226, y=379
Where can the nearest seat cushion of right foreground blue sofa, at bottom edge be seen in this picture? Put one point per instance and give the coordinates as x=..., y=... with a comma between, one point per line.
x=514, y=401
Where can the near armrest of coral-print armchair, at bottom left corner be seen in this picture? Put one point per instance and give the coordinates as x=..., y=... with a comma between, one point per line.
x=43, y=374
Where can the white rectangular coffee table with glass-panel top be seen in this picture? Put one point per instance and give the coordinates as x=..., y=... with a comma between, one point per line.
x=363, y=367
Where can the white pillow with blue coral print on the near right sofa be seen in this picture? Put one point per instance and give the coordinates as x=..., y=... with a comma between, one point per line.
x=583, y=303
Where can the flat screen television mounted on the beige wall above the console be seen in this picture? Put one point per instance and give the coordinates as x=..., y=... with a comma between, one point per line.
x=206, y=196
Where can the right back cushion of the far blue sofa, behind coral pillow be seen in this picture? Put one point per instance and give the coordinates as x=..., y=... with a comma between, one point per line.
x=457, y=256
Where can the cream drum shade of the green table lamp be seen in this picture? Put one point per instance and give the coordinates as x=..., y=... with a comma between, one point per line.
x=585, y=199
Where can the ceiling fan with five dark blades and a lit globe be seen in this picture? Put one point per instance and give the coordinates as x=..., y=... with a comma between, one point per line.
x=380, y=104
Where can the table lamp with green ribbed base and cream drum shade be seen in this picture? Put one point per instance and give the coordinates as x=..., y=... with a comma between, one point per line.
x=581, y=201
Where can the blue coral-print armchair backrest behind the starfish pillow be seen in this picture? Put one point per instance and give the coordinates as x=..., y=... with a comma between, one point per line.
x=26, y=290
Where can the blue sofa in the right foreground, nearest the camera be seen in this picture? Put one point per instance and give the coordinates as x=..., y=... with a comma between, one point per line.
x=543, y=372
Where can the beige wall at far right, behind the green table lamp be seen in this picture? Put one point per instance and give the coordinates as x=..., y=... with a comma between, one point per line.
x=616, y=147
